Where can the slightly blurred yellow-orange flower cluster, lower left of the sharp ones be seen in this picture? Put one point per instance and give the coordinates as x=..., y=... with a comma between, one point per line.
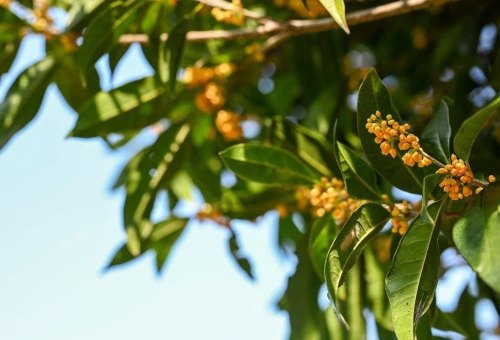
x=329, y=196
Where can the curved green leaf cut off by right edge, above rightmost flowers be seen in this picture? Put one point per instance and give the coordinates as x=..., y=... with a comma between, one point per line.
x=468, y=131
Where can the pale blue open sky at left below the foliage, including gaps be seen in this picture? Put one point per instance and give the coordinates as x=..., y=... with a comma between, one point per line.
x=60, y=223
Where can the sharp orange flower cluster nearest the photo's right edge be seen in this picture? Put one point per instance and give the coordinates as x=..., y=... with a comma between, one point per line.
x=459, y=181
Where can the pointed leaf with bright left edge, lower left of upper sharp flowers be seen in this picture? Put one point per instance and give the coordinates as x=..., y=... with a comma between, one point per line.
x=359, y=178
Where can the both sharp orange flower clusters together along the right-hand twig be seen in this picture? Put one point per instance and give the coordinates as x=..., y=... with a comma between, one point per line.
x=459, y=181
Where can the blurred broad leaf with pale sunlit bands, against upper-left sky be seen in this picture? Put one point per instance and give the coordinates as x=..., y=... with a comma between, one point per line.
x=129, y=107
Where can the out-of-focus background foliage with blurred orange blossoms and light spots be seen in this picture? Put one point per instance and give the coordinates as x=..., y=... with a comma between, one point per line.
x=207, y=95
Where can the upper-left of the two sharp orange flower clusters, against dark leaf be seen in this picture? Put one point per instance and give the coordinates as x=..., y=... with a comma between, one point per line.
x=388, y=132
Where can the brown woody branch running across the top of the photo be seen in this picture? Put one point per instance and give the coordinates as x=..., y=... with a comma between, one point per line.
x=296, y=27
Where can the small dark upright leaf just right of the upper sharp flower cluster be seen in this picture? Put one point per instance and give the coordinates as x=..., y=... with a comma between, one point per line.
x=435, y=137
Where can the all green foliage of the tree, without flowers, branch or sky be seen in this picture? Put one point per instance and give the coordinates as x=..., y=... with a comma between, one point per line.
x=308, y=125
